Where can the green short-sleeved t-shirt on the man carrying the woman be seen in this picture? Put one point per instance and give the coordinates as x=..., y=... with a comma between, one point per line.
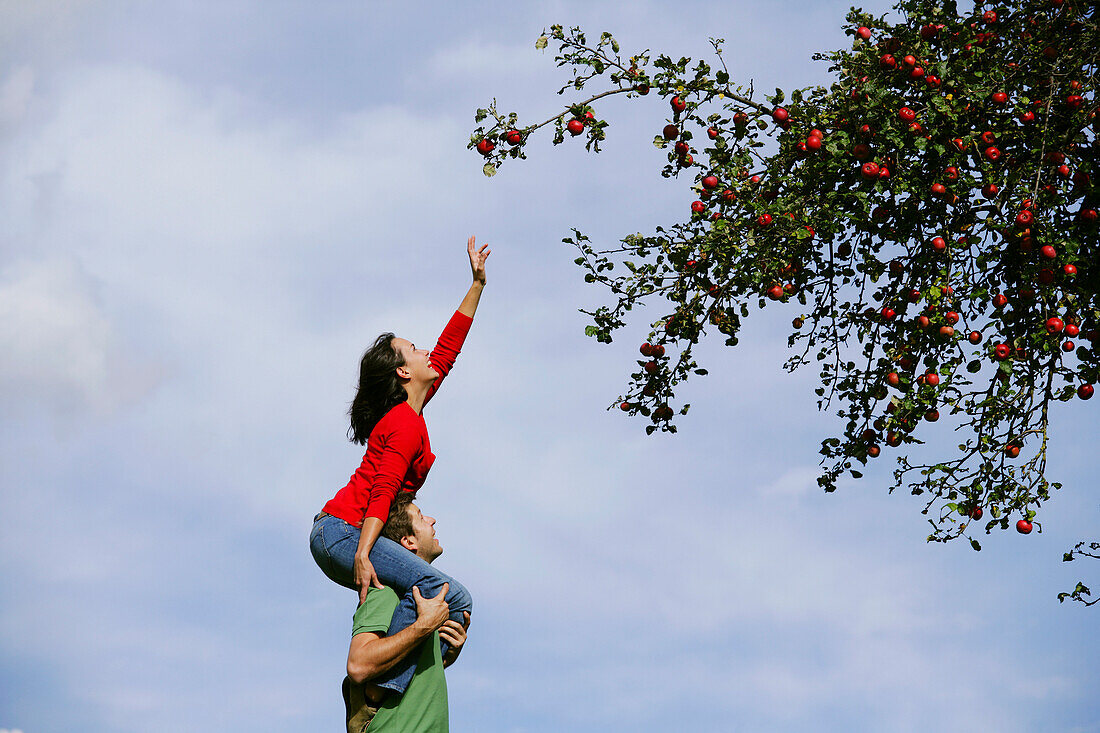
x=423, y=709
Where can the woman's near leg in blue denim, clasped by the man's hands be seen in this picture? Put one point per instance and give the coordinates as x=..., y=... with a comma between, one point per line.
x=401, y=570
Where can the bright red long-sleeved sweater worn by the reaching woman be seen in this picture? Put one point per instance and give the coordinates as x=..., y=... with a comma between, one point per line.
x=399, y=454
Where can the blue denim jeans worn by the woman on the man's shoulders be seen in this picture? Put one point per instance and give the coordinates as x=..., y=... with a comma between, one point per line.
x=334, y=543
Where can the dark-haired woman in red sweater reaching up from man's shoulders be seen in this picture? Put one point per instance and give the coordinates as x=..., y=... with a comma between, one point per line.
x=397, y=381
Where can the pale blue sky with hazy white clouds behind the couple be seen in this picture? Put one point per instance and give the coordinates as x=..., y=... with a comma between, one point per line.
x=210, y=210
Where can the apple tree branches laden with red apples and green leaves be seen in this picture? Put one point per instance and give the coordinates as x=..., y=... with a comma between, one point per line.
x=931, y=218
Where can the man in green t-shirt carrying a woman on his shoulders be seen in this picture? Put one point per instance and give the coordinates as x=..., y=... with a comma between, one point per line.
x=423, y=708
